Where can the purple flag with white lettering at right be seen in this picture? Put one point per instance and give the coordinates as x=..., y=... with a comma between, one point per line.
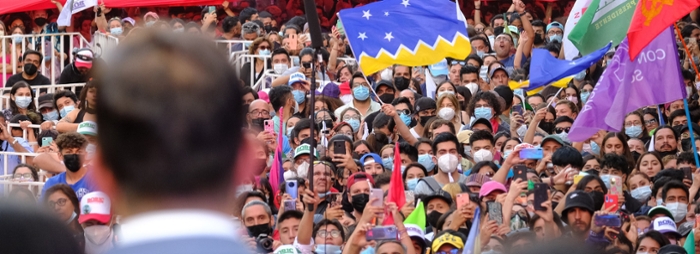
x=654, y=77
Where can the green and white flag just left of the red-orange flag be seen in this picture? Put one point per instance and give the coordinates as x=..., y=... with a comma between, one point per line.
x=604, y=21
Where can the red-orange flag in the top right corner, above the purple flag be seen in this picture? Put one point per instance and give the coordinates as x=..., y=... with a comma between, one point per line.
x=653, y=16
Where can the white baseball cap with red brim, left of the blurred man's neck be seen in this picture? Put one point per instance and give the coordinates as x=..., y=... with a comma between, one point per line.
x=95, y=206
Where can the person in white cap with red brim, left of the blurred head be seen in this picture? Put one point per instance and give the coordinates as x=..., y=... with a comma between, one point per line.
x=95, y=218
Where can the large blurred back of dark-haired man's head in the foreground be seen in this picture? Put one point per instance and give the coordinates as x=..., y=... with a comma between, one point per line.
x=165, y=115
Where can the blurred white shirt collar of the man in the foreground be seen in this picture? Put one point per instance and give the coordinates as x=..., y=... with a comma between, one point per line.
x=171, y=224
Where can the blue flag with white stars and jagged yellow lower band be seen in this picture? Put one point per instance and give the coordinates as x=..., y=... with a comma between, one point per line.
x=406, y=32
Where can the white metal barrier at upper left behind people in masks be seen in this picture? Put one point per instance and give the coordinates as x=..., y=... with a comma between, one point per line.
x=58, y=46
